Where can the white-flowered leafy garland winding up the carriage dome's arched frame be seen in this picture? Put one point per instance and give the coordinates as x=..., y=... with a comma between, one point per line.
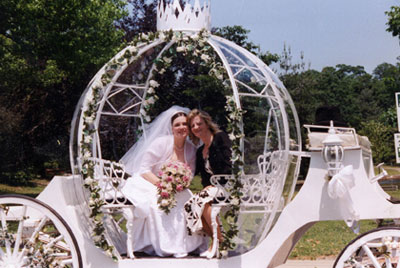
x=194, y=48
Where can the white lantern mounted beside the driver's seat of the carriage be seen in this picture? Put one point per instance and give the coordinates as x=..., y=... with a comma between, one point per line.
x=333, y=152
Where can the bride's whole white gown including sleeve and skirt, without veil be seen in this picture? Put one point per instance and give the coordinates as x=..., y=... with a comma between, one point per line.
x=155, y=232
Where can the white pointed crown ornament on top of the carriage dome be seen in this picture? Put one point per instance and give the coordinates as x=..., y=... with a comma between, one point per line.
x=171, y=16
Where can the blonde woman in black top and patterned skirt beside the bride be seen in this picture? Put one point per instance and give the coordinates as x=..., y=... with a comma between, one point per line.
x=212, y=158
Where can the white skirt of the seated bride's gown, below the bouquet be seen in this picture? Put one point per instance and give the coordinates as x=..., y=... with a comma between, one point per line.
x=156, y=232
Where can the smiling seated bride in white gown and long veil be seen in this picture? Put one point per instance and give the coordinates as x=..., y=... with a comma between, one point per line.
x=155, y=232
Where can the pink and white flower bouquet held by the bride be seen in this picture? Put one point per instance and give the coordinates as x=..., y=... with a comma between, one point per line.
x=175, y=176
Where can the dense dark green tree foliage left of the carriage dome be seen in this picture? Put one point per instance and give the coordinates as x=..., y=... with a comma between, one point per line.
x=48, y=52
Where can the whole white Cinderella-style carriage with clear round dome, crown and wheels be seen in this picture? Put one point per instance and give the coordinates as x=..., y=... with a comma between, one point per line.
x=84, y=219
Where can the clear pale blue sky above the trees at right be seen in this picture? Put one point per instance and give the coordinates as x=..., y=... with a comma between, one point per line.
x=328, y=32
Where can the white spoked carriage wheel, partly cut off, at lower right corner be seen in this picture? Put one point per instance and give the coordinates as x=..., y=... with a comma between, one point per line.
x=378, y=248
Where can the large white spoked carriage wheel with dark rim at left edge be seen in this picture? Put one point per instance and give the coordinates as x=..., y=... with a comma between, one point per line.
x=32, y=234
